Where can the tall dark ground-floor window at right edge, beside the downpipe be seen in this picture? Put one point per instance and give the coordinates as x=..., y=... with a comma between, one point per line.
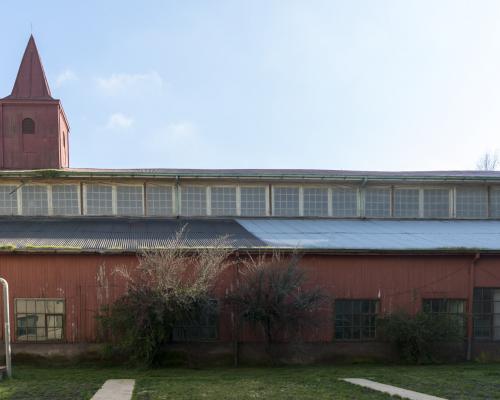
x=486, y=311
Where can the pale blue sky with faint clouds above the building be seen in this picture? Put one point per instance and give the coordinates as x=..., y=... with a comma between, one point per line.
x=365, y=85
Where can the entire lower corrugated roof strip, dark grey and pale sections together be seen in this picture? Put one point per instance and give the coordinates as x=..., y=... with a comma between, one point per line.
x=97, y=234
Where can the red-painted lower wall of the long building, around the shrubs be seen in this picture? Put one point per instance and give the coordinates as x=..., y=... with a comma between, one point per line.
x=86, y=282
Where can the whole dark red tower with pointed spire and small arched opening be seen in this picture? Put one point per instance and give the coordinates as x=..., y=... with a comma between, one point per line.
x=33, y=127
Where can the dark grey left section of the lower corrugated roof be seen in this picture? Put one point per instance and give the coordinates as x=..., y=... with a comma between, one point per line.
x=117, y=234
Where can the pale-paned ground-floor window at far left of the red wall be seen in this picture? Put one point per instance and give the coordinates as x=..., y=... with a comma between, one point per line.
x=39, y=320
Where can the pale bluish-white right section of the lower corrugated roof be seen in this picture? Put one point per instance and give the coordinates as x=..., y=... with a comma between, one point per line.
x=376, y=235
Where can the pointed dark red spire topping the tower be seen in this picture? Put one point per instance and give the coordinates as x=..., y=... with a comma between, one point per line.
x=31, y=82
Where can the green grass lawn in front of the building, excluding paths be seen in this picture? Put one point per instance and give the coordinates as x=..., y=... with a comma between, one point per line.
x=462, y=381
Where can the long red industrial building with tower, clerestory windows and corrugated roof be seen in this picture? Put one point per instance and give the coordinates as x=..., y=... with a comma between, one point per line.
x=376, y=241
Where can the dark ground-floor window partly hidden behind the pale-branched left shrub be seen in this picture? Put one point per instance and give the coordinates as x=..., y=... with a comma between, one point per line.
x=200, y=327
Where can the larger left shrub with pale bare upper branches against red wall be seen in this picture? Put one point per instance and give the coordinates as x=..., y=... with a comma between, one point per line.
x=169, y=285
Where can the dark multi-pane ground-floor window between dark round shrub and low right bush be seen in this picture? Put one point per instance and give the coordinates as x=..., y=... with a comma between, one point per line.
x=356, y=319
